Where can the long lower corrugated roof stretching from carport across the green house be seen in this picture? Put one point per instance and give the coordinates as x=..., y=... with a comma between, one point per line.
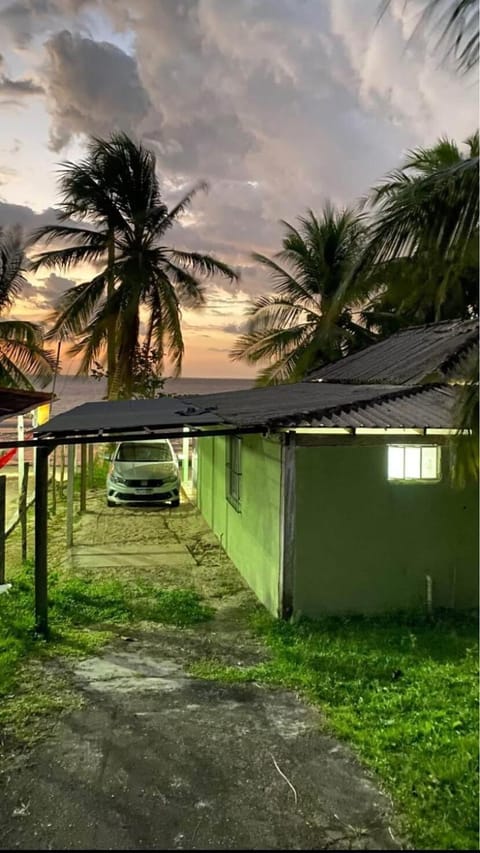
x=302, y=404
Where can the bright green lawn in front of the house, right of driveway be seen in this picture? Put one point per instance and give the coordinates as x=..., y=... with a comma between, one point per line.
x=404, y=693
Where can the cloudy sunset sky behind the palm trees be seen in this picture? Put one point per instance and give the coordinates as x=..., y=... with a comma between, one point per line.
x=280, y=105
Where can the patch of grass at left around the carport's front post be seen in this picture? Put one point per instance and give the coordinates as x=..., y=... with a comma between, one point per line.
x=84, y=614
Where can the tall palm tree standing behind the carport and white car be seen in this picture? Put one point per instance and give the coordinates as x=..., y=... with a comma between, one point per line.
x=115, y=198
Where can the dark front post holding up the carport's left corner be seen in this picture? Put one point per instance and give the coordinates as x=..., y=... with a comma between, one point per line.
x=41, y=542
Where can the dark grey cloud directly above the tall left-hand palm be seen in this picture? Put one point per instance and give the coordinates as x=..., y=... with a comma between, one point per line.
x=93, y=87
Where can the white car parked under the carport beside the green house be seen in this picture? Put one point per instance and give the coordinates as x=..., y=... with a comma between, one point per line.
x=143, y=471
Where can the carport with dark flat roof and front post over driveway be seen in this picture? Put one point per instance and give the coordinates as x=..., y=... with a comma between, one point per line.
x=109, y=421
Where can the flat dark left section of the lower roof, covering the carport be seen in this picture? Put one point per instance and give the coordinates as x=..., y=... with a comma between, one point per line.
x=124, y=415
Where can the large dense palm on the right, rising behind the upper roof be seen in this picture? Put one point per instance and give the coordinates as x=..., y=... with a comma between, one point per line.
x=420, y=262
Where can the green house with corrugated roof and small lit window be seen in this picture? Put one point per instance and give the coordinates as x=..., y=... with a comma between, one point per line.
x=335, y=495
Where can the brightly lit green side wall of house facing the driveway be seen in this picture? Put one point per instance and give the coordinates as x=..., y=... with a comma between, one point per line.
x=250, y=537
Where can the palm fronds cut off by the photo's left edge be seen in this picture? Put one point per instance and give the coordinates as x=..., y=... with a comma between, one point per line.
x=22, y=356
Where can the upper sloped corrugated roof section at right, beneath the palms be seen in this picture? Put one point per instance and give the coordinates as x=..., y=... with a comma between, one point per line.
x=417, y=354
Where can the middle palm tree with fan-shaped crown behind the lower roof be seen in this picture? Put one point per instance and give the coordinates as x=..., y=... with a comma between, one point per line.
x=288, y=328
